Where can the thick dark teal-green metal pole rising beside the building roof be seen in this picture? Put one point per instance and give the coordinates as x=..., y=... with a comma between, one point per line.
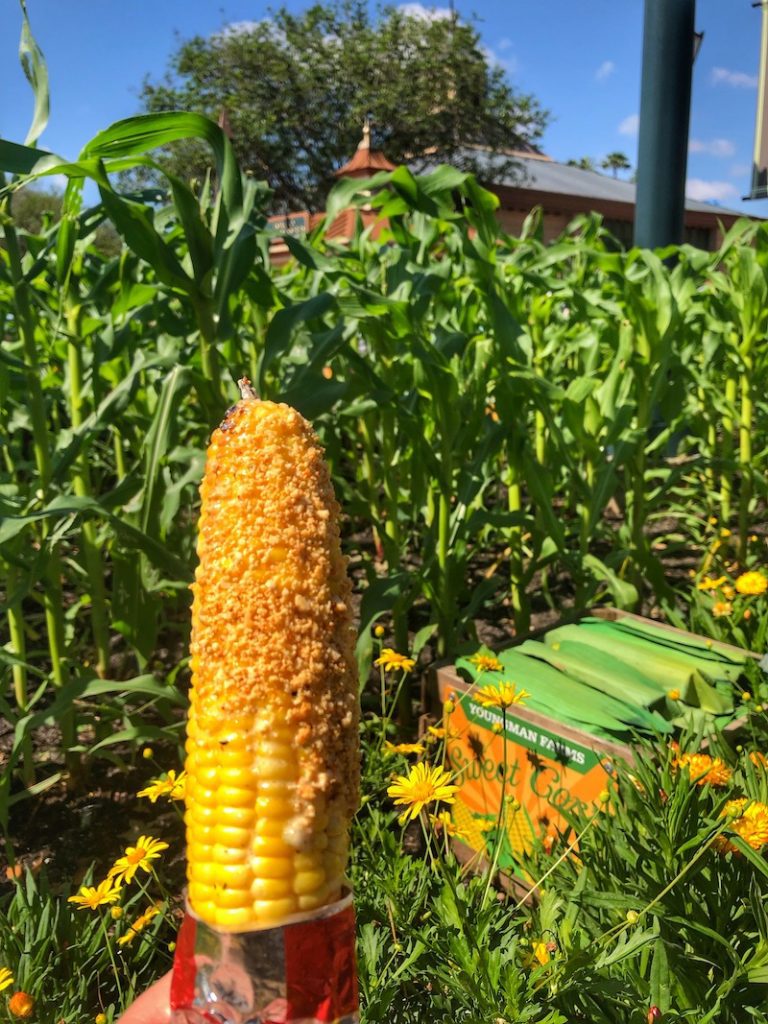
x=665, y=112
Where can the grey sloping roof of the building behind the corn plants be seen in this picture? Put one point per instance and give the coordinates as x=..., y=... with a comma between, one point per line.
x=546, y=176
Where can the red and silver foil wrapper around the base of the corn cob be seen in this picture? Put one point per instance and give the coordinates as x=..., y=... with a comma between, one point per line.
x=304, y=972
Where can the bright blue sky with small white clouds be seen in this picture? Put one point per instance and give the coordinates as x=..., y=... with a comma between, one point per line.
x=581, y=58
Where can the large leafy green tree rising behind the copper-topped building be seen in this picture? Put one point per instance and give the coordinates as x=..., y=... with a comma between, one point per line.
x=296, y=90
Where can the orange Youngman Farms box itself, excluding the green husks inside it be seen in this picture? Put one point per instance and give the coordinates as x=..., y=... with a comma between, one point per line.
x=551, y=766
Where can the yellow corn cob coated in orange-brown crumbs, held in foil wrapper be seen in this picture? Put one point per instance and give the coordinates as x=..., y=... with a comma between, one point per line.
x=273, y=758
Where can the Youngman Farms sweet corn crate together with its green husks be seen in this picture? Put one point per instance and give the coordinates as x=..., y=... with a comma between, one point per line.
x=591, y=688
